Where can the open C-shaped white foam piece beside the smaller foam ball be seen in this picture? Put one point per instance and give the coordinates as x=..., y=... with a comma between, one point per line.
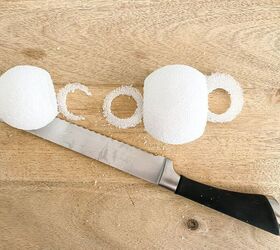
x=62, y=99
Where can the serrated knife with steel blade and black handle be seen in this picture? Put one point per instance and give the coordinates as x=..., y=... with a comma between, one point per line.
x=258, y=210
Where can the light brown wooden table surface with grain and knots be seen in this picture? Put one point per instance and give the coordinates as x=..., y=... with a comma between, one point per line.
x=52, y=198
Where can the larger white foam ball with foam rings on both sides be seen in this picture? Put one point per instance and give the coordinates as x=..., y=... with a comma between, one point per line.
x=175, y=104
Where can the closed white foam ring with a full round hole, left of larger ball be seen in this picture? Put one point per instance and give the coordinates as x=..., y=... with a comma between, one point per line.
x=127, y=122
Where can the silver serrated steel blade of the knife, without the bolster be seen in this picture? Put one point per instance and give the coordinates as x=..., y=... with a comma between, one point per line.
x=122, y=156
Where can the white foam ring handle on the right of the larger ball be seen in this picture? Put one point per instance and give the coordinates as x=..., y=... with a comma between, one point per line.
x=230, y=85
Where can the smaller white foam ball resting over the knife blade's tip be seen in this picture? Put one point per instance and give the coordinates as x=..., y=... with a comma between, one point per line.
x=27, y=97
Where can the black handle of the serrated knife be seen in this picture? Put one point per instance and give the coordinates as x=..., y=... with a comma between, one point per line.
x=254, y=209
